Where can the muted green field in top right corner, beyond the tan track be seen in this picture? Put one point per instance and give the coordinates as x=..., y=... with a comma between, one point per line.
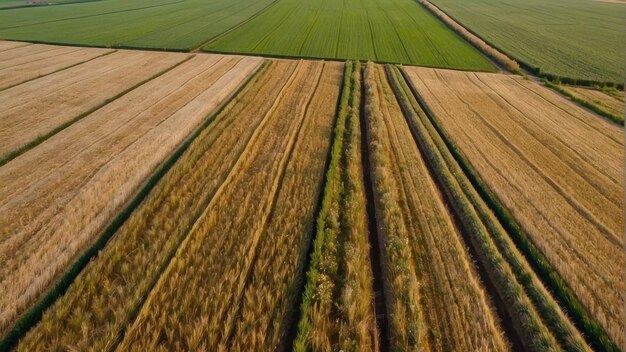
x=580, y=39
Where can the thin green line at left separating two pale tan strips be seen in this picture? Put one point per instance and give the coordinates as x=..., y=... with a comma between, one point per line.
x=44, y=137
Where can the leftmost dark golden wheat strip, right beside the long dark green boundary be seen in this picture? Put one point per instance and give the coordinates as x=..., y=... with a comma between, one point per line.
x=116, y=283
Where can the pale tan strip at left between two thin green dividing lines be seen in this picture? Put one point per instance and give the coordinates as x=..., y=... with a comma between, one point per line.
x=37, y=107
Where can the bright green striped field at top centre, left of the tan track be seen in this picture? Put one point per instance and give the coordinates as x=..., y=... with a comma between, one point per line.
x=399, y=31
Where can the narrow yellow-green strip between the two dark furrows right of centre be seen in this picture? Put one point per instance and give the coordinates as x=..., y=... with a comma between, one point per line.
x=482, y=228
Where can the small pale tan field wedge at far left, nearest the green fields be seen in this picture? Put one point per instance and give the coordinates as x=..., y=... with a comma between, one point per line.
x=30, y=62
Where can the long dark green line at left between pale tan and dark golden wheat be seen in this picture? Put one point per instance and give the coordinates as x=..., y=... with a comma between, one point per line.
x=32, y=316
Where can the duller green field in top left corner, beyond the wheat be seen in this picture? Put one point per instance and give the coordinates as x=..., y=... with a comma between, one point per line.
x=158, y=24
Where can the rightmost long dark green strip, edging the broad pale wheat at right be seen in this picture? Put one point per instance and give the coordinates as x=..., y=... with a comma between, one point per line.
x=564, y=296
